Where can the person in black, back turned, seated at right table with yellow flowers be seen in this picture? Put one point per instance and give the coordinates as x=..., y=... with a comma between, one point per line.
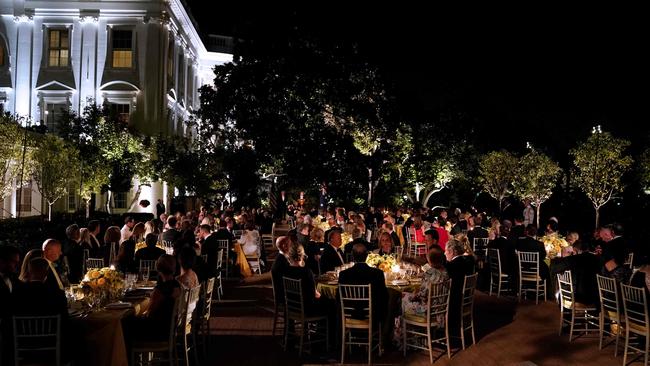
x=584, y=267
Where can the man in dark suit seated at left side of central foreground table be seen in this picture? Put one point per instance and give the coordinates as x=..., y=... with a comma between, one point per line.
x=298, y=271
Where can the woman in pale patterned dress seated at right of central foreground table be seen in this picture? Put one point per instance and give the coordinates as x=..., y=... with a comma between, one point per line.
x=416, y=303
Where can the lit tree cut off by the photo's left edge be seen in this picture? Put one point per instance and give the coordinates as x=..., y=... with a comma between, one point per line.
x=12, y=137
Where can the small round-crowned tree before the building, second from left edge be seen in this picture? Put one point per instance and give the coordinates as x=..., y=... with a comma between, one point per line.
x=54, y=164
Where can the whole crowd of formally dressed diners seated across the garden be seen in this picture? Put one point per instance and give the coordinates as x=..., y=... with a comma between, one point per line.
x=304, y=253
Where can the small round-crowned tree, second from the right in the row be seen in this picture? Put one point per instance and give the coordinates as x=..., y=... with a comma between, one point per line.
x=536, y=177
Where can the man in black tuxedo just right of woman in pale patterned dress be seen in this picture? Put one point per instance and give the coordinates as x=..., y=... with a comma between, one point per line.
x=458, y=266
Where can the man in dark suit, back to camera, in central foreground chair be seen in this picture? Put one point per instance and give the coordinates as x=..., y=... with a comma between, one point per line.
x=362, y=274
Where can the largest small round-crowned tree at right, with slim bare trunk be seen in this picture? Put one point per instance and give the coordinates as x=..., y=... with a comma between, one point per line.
x=599, y=165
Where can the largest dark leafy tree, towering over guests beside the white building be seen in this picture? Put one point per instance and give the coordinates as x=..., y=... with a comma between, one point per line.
x=316, y=111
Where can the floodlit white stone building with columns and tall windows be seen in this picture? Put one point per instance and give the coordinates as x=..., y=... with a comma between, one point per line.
x=144, y=58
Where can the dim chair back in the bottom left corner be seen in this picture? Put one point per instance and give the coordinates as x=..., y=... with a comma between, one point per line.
x=37, y=335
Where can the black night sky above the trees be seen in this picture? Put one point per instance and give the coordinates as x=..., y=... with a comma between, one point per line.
x=544, y=78
